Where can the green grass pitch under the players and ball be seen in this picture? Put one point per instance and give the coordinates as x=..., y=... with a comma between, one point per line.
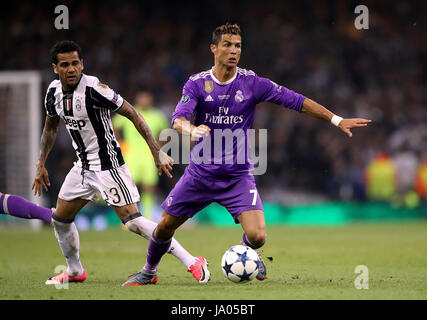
x=308, y=263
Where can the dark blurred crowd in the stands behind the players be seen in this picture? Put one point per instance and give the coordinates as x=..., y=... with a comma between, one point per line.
x=311, y=47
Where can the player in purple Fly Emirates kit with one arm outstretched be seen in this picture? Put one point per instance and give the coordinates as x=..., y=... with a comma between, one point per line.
x=222, y=98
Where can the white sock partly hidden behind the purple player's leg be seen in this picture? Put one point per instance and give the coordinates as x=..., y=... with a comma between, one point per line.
x=145, y=228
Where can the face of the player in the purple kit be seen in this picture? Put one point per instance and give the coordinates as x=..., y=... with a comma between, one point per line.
x=228, y=50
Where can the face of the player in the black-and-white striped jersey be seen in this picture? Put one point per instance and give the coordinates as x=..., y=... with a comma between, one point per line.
x=69, y=68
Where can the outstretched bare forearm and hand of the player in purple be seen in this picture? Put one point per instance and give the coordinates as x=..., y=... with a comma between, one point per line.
x=314, y=109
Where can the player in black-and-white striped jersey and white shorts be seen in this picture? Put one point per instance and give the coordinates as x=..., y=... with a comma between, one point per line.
x=85, y=105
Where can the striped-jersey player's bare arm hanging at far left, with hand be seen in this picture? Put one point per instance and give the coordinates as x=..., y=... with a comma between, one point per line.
x=47, y=141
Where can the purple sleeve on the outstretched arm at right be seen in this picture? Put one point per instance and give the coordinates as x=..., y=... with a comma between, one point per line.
x=269, y=91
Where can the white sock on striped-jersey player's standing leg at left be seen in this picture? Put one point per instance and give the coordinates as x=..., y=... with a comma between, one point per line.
x=68, y=239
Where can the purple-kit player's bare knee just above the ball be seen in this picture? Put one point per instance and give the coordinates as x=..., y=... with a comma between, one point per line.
x=253, y=224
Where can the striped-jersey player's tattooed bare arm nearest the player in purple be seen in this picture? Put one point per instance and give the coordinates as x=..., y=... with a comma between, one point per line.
x=162, y=160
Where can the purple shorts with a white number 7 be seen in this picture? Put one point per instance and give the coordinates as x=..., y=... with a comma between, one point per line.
x=193, y=192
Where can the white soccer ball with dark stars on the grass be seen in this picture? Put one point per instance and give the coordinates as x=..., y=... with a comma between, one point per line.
x=240, y=264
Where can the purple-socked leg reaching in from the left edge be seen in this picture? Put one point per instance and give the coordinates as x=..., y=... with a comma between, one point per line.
x=22, y=208
